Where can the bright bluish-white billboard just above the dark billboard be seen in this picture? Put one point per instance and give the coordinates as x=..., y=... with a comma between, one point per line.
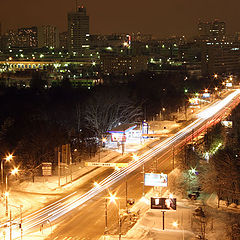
x=154, y=179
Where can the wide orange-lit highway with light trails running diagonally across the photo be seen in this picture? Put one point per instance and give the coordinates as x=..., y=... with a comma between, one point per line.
x=80, y=214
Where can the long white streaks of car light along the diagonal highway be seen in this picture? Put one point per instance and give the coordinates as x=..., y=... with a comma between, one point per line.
x=65, y=205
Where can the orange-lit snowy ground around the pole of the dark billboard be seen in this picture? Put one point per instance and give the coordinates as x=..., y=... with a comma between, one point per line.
x=150, y=223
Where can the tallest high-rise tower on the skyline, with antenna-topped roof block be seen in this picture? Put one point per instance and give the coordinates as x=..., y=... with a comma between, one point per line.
x=78, y=30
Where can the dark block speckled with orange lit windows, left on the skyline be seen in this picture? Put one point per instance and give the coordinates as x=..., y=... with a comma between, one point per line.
x=28, y=37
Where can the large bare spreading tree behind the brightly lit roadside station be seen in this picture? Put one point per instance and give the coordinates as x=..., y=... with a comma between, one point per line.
x=108, y=109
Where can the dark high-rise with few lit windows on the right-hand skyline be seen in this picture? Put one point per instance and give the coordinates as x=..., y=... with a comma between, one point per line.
x=214, y=31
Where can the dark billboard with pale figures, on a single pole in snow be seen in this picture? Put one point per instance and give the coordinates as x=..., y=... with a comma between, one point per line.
x=164, y=203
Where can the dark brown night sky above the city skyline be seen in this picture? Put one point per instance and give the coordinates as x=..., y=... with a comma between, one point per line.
x=159, y=17
